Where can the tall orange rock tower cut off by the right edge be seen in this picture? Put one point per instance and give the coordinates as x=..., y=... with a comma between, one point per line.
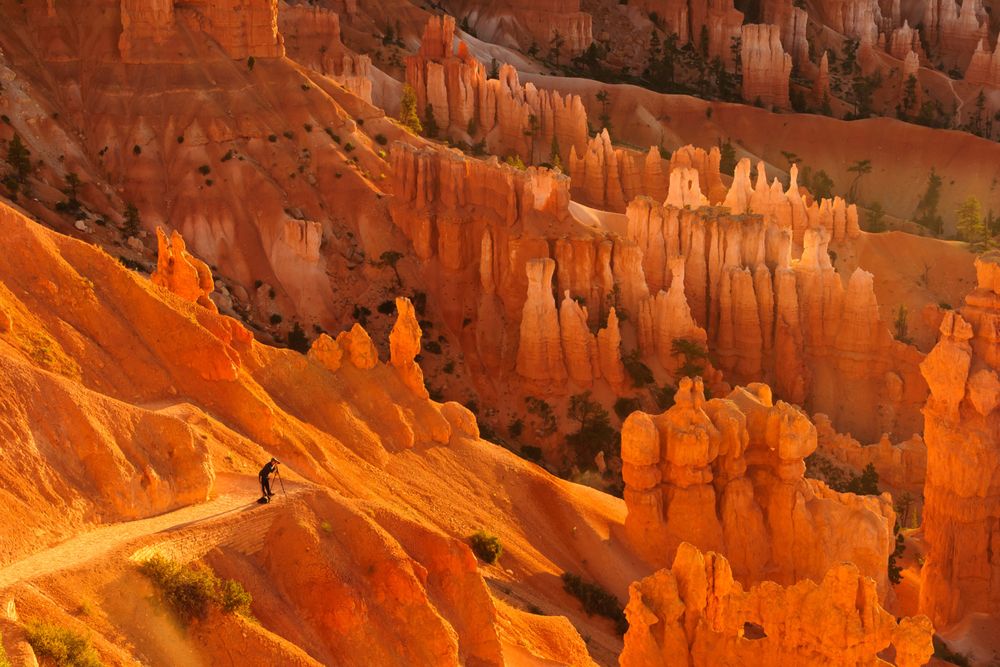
x=961, y=423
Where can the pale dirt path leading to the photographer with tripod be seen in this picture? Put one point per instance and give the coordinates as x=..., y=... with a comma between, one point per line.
x=237, y=496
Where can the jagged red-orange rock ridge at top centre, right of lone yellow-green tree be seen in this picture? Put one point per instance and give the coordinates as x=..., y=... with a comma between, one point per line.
x=508, y=117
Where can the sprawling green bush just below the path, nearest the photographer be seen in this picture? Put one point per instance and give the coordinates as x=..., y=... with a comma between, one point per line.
x=189, y=590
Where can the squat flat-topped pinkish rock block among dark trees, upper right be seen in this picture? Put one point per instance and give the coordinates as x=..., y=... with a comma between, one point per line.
x=766, y=66
